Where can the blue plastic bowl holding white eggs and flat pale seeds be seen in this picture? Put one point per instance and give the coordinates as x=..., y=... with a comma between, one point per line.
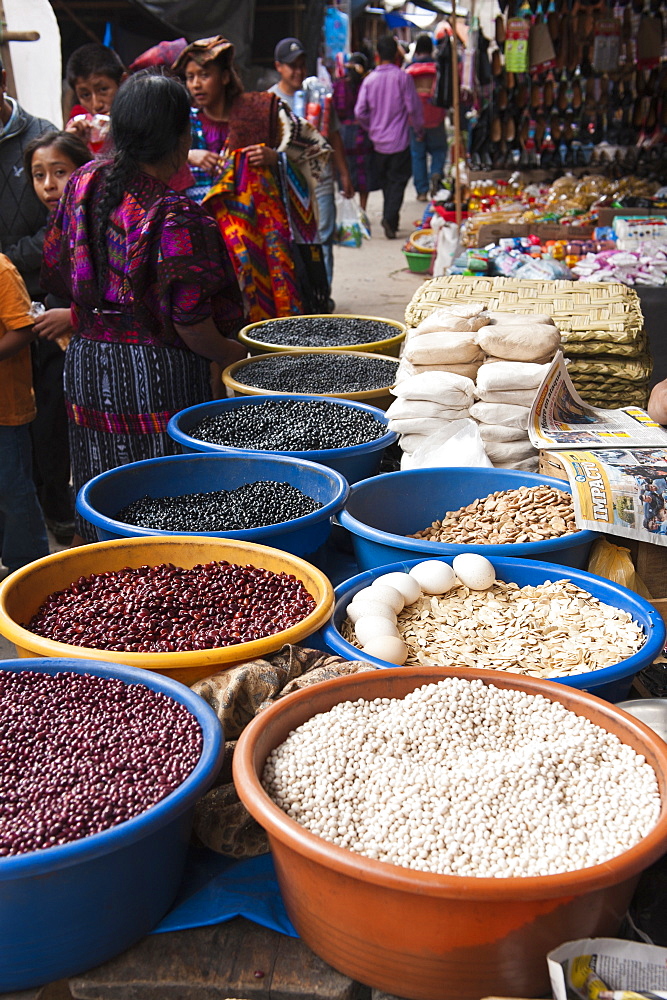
x=611, y=683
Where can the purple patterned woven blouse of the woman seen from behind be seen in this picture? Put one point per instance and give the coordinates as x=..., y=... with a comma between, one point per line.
x=166, y=262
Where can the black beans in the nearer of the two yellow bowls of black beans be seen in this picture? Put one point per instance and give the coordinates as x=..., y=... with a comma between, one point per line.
x=322, y=374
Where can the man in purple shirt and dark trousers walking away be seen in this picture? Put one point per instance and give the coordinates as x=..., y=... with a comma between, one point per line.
x=386, y=107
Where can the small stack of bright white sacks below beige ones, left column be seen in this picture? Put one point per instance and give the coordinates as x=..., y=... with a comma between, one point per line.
x=425, y=403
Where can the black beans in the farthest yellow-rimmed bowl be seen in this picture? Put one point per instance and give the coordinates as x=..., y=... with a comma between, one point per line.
x=323, y=331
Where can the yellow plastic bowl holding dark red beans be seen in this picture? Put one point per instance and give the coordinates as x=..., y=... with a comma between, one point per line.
x=24, y=591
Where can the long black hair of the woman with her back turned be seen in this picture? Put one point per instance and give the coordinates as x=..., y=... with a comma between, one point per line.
x=149, y=116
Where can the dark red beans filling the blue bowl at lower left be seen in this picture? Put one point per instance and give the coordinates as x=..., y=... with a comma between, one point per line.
x=81, y=754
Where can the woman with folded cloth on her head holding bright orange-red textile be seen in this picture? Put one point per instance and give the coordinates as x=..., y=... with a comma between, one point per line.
x=254, y=165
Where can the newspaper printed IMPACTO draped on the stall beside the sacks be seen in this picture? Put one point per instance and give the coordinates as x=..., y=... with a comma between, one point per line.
x=615, y=460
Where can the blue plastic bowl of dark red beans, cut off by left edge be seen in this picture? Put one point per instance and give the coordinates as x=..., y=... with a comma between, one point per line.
x=66, y=909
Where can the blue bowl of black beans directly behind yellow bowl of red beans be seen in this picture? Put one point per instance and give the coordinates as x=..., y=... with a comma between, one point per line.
x=100, y=500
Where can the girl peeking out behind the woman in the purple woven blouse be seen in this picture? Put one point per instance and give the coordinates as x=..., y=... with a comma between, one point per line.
x=49, y=161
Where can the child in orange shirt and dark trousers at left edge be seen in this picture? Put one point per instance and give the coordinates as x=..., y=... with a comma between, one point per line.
x=22, y=529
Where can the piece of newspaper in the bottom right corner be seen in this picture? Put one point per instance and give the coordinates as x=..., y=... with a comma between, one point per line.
x=608, y=969
